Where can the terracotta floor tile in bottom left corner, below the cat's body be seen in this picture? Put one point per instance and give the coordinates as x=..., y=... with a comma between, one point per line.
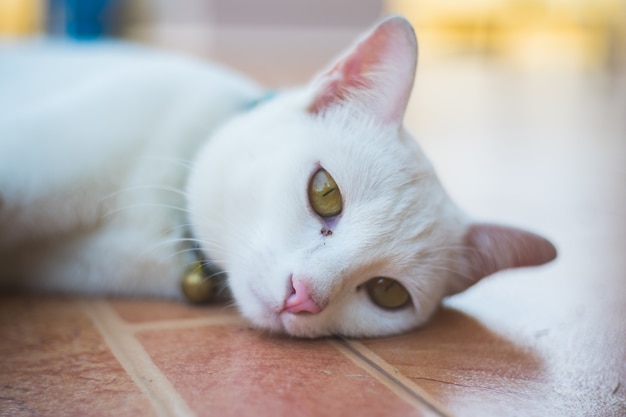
x=53, y=362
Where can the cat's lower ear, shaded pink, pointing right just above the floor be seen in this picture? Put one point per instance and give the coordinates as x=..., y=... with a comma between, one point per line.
x=491, y=248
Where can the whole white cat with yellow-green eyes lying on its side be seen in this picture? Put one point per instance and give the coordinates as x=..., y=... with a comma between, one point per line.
x=320, y=207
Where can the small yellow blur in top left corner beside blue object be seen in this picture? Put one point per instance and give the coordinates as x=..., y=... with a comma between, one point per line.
x=20, y=17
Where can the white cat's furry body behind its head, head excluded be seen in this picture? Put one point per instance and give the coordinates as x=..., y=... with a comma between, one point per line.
x=96, y=140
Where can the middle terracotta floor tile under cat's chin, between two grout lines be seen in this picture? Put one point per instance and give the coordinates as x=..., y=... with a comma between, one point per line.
x=235, y=371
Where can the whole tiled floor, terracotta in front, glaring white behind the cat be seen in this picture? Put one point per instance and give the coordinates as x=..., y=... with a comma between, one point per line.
x=544, y=150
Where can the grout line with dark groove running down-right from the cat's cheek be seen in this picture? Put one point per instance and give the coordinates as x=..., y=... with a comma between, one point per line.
x=388, y=375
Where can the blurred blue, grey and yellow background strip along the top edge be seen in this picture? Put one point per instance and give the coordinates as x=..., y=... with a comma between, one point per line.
x=587, y=34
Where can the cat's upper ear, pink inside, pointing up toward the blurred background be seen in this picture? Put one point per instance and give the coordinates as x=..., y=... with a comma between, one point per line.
x=376, y=74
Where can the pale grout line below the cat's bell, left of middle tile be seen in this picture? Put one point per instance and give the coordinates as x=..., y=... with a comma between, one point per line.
x=135, y=360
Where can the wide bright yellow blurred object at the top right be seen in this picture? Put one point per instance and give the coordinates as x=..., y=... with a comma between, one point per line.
x=529, y=33
